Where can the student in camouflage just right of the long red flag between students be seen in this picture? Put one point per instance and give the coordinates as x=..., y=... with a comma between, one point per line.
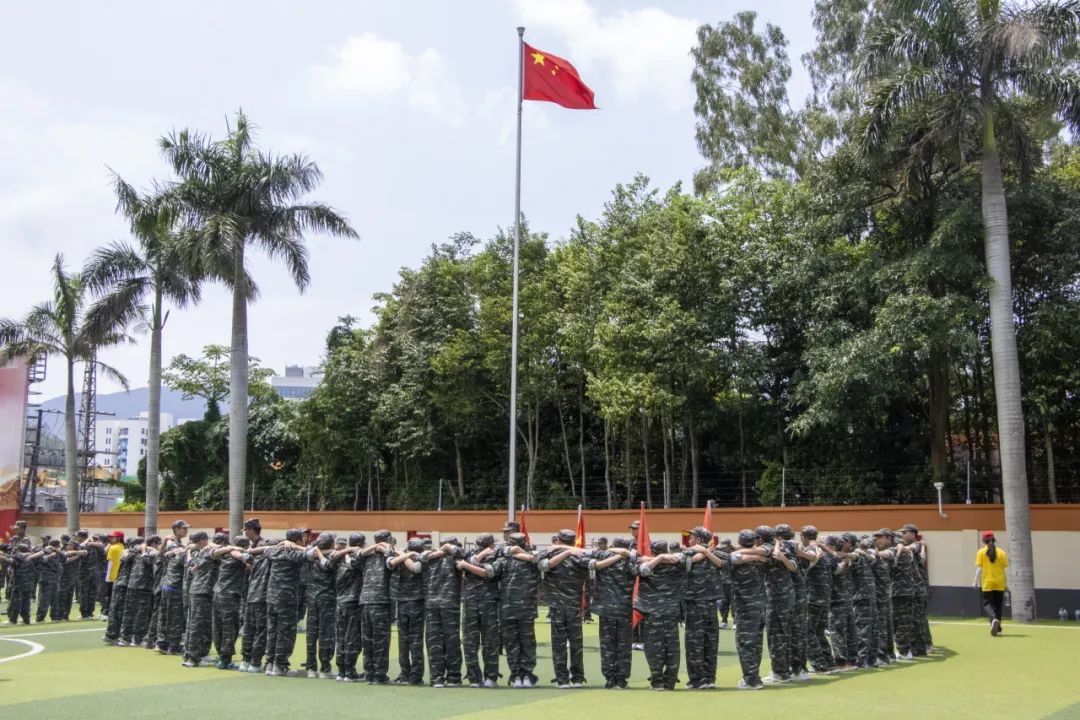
x=660, y=600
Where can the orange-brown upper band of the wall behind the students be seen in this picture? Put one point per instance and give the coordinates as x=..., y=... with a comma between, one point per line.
x=828, y=519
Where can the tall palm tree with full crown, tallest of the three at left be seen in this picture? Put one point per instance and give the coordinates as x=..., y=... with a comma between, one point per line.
x=236, y=198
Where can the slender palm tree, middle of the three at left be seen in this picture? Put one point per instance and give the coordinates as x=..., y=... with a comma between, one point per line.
x=128, y=278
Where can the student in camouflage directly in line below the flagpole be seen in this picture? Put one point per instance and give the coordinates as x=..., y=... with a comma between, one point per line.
x=519, y=582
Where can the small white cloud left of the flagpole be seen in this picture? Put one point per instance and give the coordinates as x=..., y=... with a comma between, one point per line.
x=368, y=65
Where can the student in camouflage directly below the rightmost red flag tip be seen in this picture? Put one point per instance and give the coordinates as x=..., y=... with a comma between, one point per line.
x=704, y=589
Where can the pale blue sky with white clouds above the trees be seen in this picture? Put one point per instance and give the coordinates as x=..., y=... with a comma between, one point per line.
x=408, y=107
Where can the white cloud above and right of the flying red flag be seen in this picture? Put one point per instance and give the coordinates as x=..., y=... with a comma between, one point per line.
x=649, y=51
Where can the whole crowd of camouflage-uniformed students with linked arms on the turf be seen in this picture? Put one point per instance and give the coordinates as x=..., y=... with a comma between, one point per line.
x=828, y=605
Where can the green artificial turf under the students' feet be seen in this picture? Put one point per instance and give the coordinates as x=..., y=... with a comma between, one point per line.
x=1030, y=672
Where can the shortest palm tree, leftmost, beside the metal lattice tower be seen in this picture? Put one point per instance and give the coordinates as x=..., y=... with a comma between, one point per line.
x=62, y=328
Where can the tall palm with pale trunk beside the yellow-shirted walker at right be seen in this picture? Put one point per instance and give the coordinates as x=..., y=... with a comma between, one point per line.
x=964, y=64
